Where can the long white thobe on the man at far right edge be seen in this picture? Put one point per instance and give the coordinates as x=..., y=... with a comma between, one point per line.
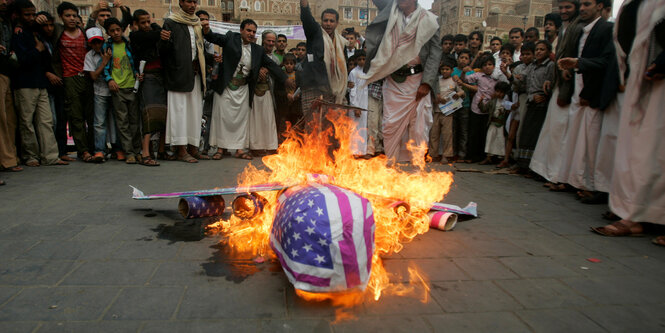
x=638, y=182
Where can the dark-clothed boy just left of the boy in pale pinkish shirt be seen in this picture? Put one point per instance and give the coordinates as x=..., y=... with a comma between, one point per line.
x=461, y=116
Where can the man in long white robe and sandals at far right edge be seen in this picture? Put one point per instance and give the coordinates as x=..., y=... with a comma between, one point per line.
x=637, y=193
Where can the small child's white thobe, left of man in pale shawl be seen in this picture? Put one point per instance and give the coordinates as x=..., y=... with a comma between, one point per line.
x=358, y=97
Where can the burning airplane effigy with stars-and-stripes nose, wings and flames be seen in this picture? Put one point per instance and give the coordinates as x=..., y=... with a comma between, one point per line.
x=326, y=216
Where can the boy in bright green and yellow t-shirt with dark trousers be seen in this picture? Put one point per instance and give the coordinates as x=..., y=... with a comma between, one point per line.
x=120, y=74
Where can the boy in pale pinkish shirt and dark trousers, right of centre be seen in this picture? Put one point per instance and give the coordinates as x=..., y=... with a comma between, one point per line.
x=484, y=89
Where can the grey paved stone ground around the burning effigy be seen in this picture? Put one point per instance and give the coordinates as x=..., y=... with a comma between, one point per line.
x=78, y=255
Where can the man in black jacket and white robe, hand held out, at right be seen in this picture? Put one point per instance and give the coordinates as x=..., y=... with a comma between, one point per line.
x=594, y=54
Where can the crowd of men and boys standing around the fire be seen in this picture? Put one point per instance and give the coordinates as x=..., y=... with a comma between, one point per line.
x=570, y=108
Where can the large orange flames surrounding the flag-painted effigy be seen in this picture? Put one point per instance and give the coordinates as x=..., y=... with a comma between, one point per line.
x=304, y=154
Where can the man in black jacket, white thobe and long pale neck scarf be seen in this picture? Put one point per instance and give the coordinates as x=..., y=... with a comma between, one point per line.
x=183, y=60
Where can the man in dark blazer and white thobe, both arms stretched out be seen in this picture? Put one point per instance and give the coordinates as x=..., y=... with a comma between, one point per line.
x=234, y=88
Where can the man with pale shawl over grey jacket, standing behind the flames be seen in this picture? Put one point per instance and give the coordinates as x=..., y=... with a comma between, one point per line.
x=403, y=47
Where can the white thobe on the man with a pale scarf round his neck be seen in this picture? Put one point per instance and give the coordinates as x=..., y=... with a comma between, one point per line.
x=185, y=109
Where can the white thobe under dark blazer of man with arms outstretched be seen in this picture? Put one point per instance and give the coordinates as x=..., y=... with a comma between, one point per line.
x=230, y=111
